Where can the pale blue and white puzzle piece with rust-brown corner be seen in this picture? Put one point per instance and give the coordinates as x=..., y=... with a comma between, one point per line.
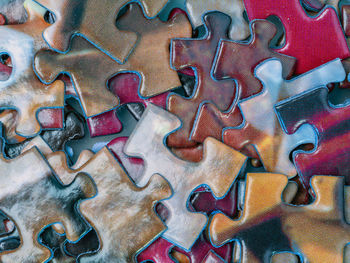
x=262, y=128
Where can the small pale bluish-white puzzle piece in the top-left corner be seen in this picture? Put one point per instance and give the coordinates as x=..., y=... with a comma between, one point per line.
x=13, y=11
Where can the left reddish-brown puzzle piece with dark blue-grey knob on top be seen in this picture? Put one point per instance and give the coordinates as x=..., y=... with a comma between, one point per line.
x=199, y=54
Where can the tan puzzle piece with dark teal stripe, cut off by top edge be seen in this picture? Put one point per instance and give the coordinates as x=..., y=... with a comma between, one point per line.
x=94, y=21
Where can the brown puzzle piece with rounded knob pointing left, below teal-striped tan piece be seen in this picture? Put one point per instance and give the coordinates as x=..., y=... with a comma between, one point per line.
x=89, y=82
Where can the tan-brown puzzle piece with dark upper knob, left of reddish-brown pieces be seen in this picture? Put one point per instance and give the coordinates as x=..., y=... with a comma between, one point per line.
x=155, y=37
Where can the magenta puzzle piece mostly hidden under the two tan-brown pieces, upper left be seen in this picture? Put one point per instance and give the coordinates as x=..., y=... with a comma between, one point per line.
x=125, y=86
